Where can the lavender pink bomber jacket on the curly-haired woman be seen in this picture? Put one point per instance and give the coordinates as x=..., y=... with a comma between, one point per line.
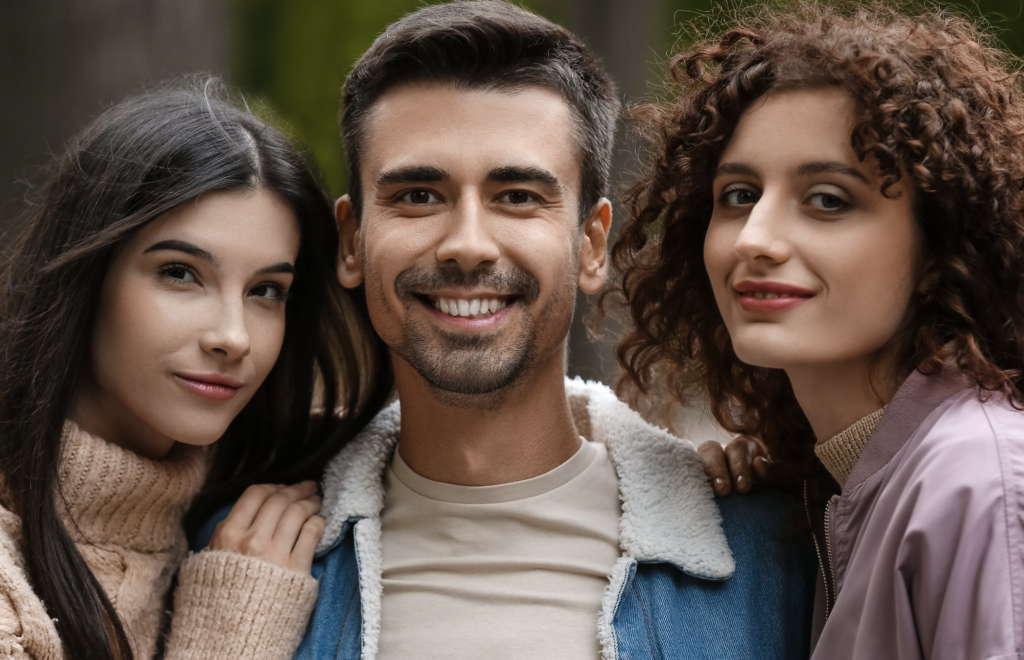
x=927, y=540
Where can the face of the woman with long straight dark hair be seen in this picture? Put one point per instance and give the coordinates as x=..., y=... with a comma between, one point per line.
x=190, y=323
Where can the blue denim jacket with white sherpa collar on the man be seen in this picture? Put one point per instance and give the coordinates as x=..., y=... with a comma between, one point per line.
x=696, y=580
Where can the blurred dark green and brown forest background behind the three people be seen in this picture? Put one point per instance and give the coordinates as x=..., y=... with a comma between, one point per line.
x=62, y=62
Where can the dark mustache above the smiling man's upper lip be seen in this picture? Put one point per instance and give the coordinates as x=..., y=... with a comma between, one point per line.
x=420, y=281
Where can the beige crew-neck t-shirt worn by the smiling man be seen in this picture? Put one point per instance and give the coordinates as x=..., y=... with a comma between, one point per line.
x=511, y=571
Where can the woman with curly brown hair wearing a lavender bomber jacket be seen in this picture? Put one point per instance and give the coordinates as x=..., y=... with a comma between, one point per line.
x=830, y=247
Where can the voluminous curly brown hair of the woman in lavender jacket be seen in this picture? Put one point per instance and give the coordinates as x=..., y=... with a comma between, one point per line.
x=936, y=103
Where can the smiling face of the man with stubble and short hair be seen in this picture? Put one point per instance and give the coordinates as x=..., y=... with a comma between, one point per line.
x=470, y=242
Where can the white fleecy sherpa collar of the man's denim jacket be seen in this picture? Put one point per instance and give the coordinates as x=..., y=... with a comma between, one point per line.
x=669, y=512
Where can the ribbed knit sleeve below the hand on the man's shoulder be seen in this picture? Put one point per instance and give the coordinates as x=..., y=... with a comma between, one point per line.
x=232, y=606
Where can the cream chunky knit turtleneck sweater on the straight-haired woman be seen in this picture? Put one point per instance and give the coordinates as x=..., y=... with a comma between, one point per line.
x=127, y=514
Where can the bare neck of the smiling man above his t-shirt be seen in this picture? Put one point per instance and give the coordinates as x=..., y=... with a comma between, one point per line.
x=515, y=435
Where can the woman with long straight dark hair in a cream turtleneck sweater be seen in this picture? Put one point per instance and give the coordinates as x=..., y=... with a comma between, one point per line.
x=173, y=286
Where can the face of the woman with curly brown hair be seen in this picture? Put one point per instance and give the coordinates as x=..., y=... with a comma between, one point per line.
x=810, y=265
